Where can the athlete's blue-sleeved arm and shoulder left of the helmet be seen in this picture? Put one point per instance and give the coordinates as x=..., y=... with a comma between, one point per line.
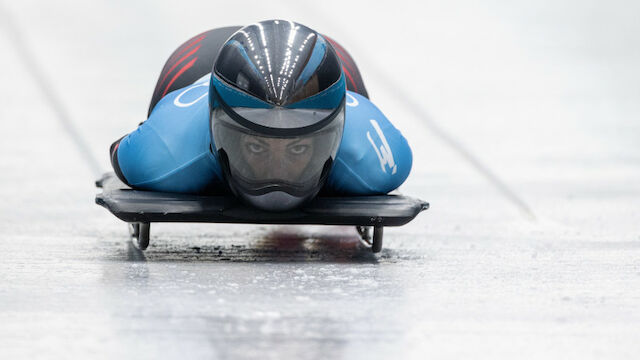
x=171, y=150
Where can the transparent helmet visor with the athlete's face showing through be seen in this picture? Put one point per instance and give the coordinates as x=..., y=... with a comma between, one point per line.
x=258, y=166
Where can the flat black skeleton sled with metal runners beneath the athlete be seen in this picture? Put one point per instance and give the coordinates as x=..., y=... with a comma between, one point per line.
x=141, y=208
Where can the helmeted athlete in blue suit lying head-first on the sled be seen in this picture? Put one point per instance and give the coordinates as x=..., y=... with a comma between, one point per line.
x=273, y=112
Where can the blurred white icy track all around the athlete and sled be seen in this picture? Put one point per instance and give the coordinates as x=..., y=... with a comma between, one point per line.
x=523, y=119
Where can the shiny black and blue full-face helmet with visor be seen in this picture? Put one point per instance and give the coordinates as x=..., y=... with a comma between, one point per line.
x=277, y=106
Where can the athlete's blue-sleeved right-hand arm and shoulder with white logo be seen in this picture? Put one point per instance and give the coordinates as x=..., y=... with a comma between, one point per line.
x=374, y=157
